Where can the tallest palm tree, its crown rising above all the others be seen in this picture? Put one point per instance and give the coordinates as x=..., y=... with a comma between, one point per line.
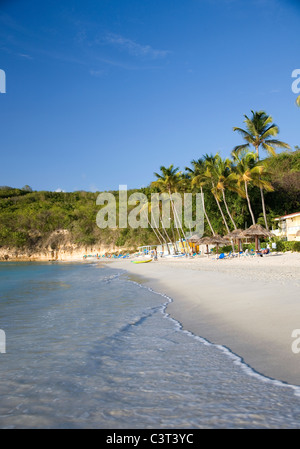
x=260, y=132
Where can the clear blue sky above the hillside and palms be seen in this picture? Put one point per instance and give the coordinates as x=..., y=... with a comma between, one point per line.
x=101, y=93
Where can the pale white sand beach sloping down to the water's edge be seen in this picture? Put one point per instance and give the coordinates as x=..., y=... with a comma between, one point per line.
x=250, y=305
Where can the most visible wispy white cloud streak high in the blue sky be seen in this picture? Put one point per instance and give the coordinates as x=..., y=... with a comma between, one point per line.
x=133, y=47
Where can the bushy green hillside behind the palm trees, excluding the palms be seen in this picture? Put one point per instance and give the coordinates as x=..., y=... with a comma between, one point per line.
x=29, y=218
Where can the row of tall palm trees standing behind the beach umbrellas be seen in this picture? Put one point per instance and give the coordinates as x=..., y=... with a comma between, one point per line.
x=239, y=174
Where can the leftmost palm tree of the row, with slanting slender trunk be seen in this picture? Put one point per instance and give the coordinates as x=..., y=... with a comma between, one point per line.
x=169, y=181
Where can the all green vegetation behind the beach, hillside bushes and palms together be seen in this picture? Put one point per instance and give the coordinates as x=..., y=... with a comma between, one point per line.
x=237, y=192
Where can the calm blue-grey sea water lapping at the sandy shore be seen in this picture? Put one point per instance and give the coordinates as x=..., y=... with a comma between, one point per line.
x=88, y=348
